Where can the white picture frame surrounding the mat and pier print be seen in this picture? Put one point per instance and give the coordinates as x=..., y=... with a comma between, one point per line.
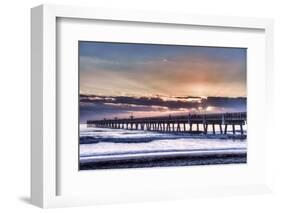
x=44, y=148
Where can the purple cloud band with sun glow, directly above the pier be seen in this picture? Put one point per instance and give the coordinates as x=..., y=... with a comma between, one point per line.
x=99, y=107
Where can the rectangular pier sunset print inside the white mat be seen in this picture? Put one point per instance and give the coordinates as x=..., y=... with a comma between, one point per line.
x=155, y=105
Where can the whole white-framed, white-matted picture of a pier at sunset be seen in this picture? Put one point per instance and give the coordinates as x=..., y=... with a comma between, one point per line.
x=129, y=106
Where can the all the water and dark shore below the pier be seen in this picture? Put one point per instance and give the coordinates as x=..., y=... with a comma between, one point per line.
x=102, y=148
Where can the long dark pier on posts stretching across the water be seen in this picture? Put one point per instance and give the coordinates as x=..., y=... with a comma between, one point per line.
x=227, y=123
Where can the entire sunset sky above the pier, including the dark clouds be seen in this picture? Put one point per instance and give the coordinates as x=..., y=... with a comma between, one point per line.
x=144, y=80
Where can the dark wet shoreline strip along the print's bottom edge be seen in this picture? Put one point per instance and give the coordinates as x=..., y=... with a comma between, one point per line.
x=166, y=160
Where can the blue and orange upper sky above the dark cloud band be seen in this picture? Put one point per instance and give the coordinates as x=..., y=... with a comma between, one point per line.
x=166, y=70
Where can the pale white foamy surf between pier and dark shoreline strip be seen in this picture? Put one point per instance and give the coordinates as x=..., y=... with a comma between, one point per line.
x=161, y=146
